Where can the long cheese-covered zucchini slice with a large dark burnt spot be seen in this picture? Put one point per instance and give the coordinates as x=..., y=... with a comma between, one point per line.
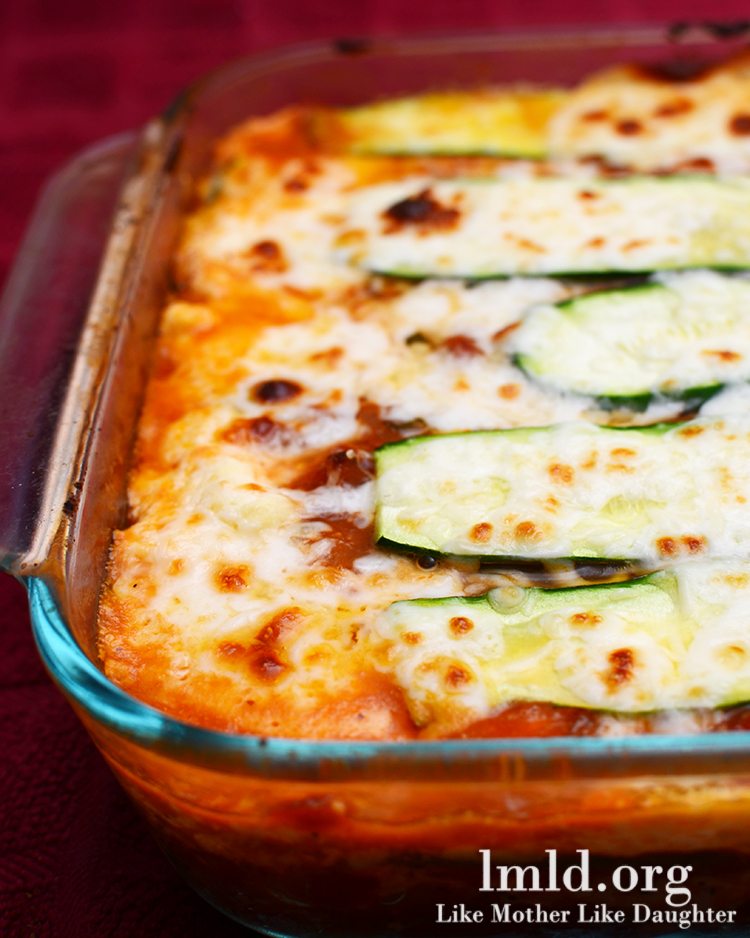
x=482, y=228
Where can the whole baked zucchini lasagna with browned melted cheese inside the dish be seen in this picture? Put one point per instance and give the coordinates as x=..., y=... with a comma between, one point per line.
x=448, y=431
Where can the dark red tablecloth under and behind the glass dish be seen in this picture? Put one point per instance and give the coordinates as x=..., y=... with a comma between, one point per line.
x=75, y=859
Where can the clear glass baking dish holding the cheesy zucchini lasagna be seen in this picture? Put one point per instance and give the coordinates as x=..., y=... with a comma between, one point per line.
x=340, y=839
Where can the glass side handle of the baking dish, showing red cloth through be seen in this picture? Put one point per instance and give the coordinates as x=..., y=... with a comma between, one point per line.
x=41, y=314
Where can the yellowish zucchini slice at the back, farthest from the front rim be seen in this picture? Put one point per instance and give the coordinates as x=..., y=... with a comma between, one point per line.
x=489, y=122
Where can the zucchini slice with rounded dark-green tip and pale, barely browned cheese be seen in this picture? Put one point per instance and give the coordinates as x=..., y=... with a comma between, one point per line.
x=683, y=337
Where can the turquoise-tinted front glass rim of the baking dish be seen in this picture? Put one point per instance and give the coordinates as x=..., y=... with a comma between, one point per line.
x=109, y=705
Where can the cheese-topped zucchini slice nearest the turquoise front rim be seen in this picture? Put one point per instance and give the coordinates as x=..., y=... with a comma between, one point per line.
x=674, y=639
